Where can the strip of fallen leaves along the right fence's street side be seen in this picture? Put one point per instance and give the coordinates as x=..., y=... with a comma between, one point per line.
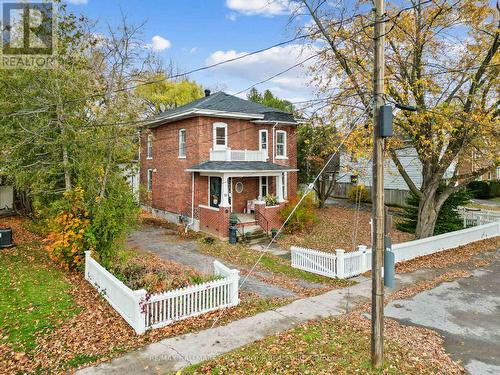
x=450, y=257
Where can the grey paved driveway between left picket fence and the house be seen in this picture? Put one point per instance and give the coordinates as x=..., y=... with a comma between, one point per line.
x=166, y=244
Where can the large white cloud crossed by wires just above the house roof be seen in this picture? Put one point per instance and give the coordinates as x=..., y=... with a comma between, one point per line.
x=255, y=68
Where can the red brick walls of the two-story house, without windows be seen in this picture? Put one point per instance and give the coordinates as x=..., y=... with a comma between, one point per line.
x=172, y=184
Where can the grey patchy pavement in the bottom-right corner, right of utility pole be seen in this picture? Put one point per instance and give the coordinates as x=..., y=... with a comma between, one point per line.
x=465, y=312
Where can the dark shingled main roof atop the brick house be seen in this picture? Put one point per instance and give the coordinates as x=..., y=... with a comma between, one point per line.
x=220, y=101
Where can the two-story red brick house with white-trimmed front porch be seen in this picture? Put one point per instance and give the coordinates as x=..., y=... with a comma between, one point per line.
x=219, y=155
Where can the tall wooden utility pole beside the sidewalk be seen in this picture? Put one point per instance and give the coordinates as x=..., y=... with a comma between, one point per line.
x=377, y=339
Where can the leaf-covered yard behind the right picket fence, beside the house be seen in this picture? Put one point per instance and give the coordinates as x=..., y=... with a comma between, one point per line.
x=336, y=228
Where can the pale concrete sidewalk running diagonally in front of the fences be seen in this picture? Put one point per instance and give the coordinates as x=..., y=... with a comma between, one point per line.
x=177, y=352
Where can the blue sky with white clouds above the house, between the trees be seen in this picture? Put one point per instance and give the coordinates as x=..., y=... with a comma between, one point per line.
x=195, y=33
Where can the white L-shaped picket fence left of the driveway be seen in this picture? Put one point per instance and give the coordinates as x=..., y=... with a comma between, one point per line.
x=146, y=311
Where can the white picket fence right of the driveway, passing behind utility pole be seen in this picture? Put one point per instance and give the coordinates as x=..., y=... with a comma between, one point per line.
x=344, y=265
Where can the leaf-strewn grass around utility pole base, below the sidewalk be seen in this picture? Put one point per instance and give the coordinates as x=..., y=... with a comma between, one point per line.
x=339, y=345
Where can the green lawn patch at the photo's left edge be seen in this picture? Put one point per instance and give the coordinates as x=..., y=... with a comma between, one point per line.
x=35, y=297
